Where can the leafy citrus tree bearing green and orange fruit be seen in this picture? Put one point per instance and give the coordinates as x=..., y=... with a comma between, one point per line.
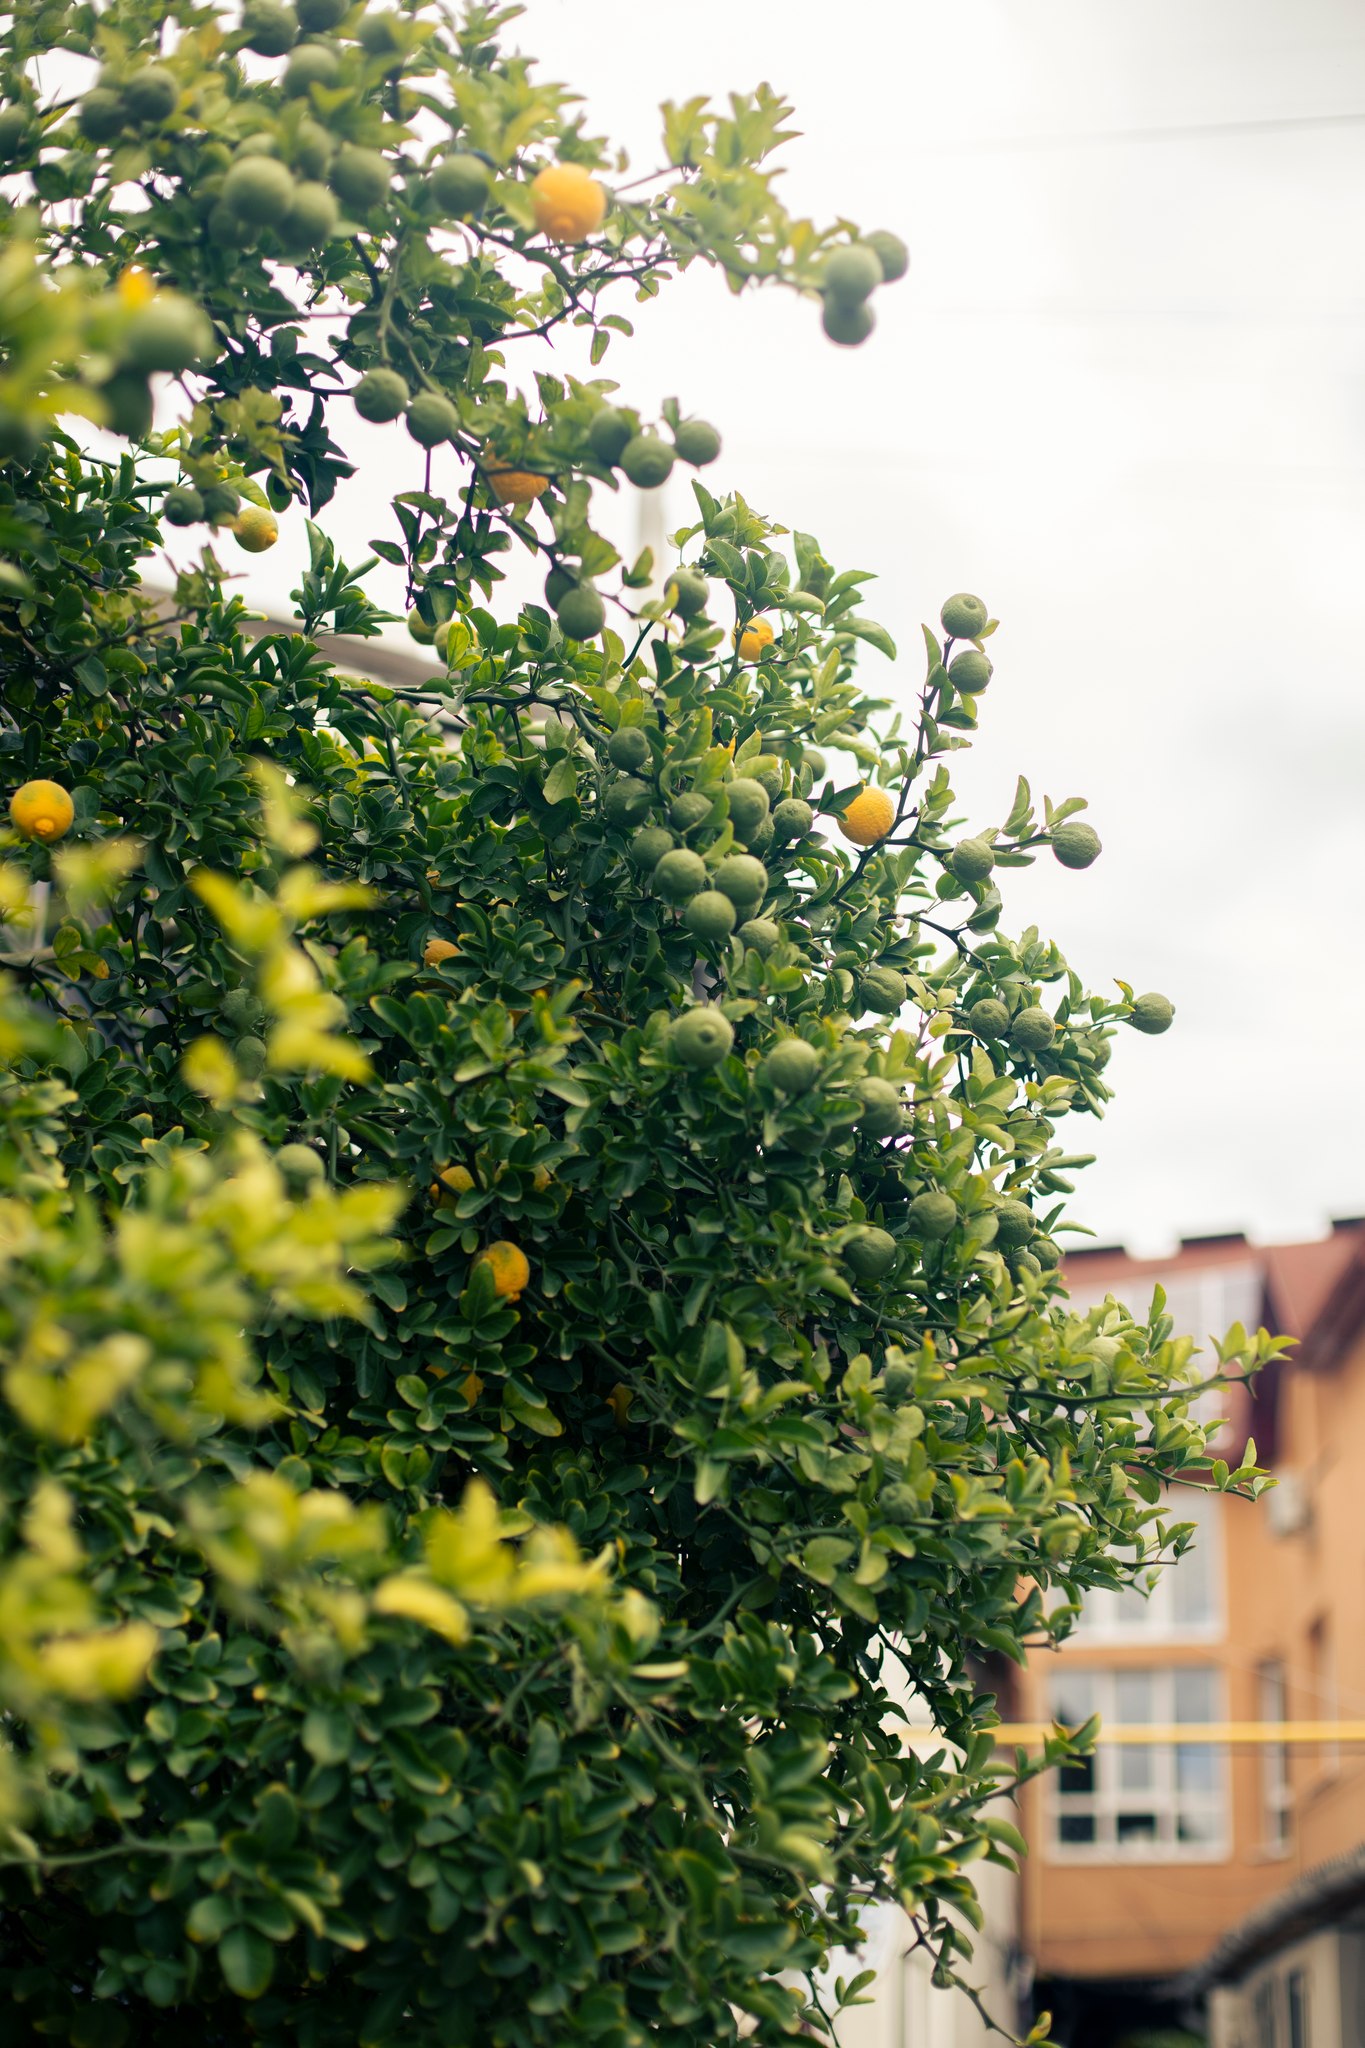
x=529, y=1201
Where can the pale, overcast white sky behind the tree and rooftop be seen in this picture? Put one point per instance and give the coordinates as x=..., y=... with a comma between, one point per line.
x=1122, y=396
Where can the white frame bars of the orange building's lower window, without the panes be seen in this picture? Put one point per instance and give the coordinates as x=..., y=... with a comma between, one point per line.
x=1110, y=1799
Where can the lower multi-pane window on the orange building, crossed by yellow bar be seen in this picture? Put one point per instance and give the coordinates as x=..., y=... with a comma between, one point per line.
x=1145, y=1801
